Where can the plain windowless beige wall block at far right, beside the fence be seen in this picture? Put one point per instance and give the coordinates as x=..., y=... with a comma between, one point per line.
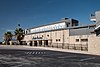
x=94, y=44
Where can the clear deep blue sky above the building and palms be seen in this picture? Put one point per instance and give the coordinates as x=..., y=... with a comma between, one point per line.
x=30, y=13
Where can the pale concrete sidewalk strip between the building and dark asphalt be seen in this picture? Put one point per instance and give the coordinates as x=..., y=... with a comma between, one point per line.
x=44, y=48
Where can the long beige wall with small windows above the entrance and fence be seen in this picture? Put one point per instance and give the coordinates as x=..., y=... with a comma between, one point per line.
x=63, y=35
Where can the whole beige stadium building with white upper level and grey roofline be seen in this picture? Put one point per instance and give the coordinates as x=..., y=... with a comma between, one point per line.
x=67, y=34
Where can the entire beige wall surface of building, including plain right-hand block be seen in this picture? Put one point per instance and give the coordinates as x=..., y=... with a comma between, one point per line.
x=93, y=40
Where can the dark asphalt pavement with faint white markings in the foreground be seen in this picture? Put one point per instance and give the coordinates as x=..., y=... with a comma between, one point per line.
x=44, y=58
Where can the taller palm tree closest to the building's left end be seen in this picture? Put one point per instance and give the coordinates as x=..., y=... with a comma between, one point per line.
x=19, y=34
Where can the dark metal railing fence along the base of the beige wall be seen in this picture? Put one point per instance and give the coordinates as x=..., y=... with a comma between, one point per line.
x=82, y=47
